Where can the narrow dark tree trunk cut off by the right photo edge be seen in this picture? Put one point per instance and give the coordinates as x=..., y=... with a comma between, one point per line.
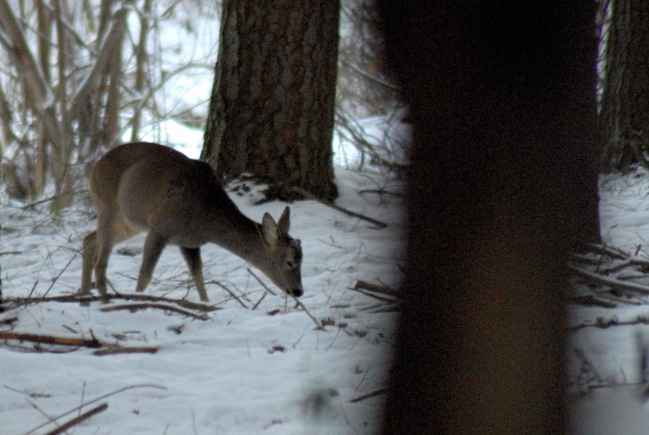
x=624, y=116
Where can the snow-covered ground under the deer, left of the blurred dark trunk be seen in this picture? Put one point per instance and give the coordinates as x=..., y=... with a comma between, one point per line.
x=243, y=370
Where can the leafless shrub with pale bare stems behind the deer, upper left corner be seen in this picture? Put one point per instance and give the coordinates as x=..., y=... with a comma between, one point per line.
x=73, y=77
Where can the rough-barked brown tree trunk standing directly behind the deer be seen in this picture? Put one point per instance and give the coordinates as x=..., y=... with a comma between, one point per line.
x=272, y=106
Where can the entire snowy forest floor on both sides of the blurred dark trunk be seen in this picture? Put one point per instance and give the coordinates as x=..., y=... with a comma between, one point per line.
x=259, y=363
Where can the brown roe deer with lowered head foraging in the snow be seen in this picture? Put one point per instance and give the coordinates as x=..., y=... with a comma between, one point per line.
x=149, y=187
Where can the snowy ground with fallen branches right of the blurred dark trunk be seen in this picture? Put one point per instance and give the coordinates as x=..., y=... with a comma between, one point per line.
x=608, y=338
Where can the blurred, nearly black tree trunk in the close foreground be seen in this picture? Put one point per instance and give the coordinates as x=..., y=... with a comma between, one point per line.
x=502, y=185
